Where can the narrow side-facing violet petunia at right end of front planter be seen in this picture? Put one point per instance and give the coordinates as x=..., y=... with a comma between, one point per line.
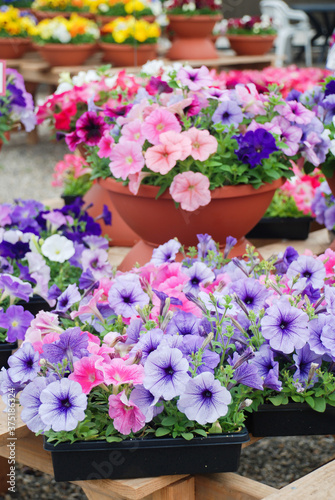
x=267, y=367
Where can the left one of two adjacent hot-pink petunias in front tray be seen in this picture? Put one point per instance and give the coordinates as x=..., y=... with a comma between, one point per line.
x=86, y=373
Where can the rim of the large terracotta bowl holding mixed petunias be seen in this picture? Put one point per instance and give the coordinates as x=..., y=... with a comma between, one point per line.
x=147, y=191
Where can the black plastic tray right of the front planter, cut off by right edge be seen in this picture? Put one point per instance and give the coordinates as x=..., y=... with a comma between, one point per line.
x=293, y=419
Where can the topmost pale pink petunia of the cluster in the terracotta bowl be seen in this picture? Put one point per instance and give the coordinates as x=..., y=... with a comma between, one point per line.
x=159, y=121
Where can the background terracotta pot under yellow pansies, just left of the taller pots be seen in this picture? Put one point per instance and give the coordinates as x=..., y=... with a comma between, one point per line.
x=127, y=55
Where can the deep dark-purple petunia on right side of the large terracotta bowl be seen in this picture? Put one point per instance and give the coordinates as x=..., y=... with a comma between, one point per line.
x=255, y=146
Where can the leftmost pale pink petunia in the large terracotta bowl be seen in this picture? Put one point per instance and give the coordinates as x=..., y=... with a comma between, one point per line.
x=126, y=158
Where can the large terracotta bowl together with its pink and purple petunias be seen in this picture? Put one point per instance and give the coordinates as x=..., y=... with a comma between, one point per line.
x=187, y=153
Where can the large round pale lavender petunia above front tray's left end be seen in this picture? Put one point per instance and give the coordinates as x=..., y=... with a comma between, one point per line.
x=63, y=405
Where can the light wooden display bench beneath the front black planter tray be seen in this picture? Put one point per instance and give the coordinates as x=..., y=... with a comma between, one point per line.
x=230, y=486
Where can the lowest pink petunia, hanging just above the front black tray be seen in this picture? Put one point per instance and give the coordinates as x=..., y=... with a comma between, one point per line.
x=126, y=415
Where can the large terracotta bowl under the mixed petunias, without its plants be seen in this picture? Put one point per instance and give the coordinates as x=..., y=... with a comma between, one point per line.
x=233, y=211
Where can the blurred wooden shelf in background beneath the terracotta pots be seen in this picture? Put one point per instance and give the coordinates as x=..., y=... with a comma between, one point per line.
x=35, y=70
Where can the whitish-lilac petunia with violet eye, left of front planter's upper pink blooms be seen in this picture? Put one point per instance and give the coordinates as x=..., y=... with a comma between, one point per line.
x=125, y=294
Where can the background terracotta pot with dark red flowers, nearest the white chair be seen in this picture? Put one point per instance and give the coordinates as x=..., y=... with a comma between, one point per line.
x=251, y=45
